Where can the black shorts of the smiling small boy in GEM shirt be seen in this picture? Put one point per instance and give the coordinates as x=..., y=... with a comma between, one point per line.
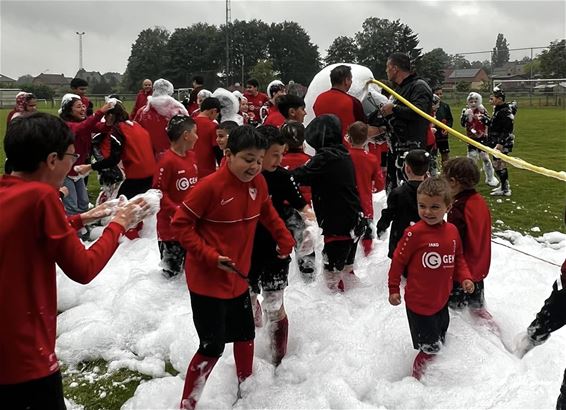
x=428, y=332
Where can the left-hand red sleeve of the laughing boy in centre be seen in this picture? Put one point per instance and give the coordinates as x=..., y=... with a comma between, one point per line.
x=185, y=223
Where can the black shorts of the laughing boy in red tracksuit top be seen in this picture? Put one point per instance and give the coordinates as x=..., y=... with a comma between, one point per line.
x=220, y=321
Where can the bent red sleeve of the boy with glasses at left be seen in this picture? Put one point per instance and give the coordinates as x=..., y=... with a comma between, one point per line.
x=79, y=264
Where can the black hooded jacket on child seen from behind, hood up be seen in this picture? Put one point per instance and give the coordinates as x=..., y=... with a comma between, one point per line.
x=330, y=174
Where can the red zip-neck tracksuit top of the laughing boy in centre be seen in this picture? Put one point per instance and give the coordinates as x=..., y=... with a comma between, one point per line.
x=219, y=217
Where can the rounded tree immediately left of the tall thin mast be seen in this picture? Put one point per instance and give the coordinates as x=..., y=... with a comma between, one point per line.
x=198, y=49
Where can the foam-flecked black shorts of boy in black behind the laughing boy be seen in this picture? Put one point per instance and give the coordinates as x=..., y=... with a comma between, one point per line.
x=269, y=275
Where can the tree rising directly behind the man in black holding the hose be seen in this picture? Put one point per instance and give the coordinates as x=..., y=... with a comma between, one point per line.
x=379, y=38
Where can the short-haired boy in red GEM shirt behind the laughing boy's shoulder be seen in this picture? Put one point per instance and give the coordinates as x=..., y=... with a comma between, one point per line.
x=176, y=174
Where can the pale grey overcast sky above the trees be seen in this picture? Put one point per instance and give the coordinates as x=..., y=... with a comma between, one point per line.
x=40, y=36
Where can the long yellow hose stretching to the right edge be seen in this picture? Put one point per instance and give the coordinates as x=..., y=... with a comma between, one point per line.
x=516, y=162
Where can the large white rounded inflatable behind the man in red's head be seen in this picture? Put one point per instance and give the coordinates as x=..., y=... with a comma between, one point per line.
x=369, y=95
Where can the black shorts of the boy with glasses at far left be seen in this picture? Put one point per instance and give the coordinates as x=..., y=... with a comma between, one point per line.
x=40, y=394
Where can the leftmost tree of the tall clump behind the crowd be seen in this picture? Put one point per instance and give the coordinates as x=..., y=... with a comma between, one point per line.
x=148, y=57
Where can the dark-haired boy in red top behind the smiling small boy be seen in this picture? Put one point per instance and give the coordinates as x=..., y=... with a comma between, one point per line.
x=470, y=214
